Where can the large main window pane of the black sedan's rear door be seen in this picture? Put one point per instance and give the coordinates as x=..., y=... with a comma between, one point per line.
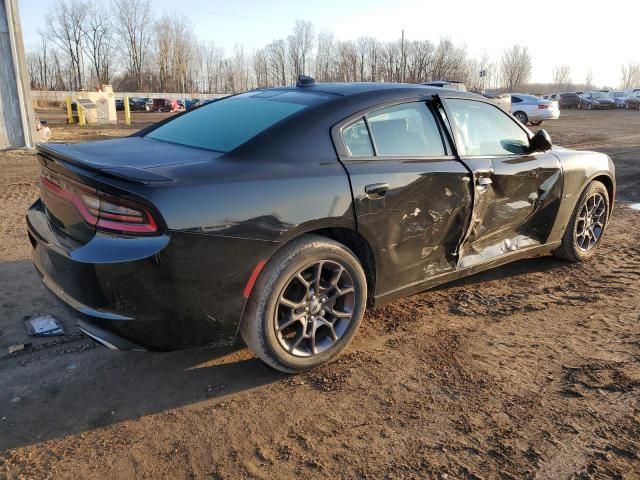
x=405, y=130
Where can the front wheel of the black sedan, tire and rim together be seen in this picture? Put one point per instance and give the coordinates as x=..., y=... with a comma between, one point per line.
x=588, y=222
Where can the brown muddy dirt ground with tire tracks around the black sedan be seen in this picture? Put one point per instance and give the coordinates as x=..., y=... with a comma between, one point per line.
x=527, y=371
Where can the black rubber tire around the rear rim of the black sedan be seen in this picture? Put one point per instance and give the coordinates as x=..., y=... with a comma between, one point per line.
x=264, y=318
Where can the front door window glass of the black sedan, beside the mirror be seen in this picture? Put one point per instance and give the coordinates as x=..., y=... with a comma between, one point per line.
x=484, y=130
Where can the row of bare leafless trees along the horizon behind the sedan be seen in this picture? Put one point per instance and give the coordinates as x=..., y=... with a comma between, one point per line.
x=124, y=43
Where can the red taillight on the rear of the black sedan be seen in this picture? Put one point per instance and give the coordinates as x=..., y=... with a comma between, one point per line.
x=104, y=211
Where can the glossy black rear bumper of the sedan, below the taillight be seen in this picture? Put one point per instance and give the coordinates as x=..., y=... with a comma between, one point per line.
x=157, y=293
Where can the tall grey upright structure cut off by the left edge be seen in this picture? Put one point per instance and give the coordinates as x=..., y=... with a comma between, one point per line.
x=17, y=119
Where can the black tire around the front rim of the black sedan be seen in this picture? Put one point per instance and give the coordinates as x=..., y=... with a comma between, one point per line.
x=570, y=248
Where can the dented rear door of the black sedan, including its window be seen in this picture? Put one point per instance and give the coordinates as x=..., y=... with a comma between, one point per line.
x=412, y=197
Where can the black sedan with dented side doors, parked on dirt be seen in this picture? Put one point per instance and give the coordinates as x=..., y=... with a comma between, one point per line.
x=278, y=215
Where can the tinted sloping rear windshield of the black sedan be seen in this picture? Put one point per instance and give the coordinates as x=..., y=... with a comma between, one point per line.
x=228, y=123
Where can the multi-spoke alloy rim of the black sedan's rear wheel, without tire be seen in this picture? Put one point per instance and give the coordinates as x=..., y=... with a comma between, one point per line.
x=314, y=309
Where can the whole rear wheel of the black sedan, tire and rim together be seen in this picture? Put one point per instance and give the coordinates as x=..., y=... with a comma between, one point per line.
x=306, y=305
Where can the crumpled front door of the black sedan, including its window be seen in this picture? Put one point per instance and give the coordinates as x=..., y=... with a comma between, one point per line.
x=516, y=193
